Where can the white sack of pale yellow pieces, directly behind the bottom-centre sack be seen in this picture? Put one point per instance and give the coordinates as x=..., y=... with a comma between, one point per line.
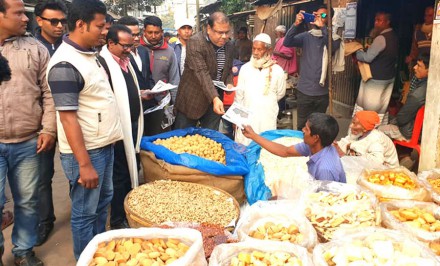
x=277, y=221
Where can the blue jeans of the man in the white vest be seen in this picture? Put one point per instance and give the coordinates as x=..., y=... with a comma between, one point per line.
x=89, y=206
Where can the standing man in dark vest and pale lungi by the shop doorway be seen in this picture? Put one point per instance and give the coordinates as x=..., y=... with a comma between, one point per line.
x=375, y=93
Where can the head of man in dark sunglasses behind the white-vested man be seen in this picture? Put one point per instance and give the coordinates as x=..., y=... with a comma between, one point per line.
x=51, y=19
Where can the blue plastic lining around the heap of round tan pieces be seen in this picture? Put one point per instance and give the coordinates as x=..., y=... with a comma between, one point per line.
x=236, y=163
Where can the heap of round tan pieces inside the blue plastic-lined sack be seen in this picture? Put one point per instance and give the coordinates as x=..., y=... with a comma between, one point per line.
x=196, y=145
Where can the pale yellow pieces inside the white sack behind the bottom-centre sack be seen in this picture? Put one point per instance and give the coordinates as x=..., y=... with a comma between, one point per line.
x=278, y=232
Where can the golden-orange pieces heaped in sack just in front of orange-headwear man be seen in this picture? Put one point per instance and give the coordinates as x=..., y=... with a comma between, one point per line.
x=393, y=178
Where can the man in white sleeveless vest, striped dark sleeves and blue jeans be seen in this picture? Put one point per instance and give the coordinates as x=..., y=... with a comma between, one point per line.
x=88, y=120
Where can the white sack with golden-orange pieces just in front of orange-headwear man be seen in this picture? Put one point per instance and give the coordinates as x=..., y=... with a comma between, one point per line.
x=395, y=183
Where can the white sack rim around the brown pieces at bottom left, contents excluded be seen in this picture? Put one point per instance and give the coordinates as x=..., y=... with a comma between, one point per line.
x=194, y=256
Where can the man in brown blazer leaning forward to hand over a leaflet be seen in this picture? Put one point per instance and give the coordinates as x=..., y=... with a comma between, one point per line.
x=209, y=57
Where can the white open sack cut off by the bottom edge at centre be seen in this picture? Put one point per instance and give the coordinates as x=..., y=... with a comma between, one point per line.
x=268, y=252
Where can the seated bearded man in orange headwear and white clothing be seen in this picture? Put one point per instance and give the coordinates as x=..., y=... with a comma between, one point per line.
x=364, y=140
